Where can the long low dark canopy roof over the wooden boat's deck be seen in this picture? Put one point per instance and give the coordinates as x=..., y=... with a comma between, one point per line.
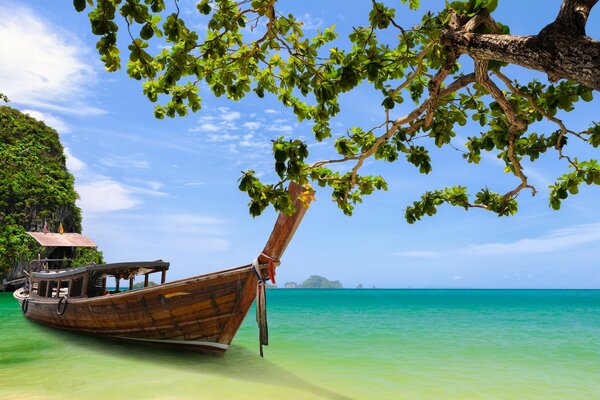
x=127, y=268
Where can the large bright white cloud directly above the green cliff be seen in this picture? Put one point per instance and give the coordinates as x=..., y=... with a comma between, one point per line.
x=43, y=66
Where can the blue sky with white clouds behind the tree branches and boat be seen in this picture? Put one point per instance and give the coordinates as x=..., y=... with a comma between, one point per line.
x=168, y=188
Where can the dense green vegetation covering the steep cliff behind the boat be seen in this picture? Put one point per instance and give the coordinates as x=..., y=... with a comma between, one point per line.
x=35, y=186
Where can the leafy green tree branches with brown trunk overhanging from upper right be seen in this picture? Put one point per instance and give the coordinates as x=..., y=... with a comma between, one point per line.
x=418, y=64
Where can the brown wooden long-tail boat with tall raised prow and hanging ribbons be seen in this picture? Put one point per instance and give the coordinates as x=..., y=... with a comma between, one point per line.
x=201, y=313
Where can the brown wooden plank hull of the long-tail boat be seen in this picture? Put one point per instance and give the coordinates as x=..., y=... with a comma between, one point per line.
x=201, y=313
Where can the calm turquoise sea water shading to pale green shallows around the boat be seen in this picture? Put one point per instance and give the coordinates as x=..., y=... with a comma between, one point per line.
x=336, y=344
